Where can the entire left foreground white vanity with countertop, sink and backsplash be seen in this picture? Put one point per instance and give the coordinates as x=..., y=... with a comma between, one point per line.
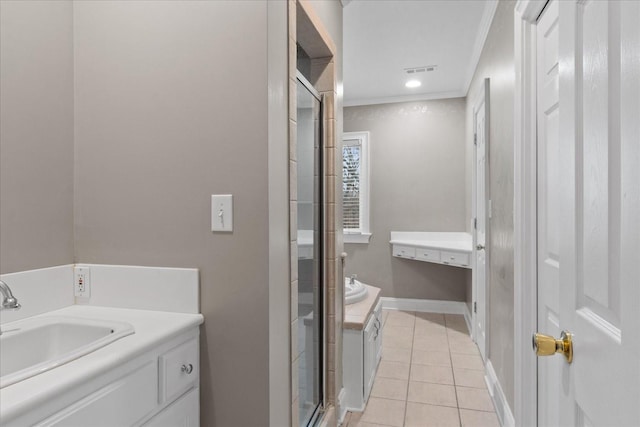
x=150, y=376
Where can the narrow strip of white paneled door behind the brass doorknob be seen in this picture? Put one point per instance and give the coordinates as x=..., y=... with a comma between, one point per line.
x=548, y=208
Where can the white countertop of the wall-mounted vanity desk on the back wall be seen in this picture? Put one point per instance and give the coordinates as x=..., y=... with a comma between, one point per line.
x=453, y=241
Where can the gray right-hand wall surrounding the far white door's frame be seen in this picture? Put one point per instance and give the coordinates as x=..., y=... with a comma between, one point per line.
x=497, y=63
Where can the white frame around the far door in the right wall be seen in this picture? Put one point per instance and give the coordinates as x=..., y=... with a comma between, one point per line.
x=482, y=96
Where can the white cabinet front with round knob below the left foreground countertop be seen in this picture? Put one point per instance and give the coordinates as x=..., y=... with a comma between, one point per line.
x=161, y=386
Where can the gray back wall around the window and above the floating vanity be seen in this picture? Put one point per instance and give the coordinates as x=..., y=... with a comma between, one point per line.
x=417, y=172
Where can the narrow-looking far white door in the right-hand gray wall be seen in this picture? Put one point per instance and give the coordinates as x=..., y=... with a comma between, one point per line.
x=480, y=268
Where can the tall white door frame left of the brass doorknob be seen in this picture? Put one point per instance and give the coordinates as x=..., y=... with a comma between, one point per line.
x=525, y=211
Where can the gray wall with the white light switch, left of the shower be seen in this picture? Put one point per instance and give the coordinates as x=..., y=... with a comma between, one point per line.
x=168, y=113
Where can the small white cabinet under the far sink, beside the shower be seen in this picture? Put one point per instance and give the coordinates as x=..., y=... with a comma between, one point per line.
x=361, y=356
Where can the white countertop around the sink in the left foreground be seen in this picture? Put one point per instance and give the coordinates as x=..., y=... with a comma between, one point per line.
x=151, y=329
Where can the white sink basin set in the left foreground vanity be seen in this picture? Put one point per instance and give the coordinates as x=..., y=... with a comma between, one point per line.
x=35, y=345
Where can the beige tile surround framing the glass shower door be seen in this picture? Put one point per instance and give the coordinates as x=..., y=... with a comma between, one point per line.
x=323, y=77
